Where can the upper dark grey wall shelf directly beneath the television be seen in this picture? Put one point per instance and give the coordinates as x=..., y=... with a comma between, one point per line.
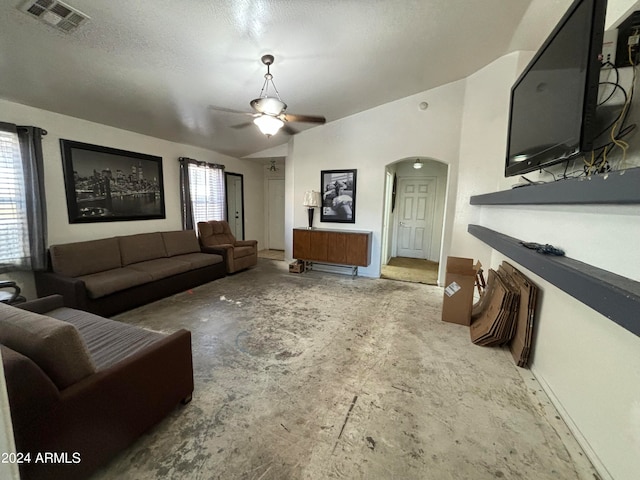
x=622, y=187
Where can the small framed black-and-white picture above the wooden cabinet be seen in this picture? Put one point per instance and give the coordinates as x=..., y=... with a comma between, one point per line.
x=338, y=189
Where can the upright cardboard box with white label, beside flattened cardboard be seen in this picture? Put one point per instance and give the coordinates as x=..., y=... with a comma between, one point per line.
x=458, y=292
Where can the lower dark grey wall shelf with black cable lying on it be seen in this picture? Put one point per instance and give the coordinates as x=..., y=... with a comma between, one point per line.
x=614, y=296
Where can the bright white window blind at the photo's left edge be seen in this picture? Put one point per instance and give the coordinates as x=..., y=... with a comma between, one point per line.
x=14, y=234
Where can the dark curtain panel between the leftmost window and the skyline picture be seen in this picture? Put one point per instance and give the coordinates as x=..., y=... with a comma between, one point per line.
x=30, y=139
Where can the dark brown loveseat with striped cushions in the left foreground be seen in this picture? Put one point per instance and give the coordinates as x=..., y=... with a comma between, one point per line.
x=82, y=387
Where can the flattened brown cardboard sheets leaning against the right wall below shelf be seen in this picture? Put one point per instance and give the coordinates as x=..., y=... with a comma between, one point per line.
x=505, y=313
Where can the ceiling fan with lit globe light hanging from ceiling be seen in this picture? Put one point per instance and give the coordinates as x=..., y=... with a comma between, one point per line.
x=270, y=111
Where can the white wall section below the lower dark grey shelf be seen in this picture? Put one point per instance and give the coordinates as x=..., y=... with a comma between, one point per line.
x=590, y=368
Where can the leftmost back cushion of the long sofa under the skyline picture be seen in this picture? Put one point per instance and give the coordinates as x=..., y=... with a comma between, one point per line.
x=84, y=258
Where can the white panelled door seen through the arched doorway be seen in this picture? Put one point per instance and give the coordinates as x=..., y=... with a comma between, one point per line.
x=415, y=216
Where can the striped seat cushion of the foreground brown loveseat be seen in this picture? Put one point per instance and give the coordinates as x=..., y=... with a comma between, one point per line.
x=109, y=341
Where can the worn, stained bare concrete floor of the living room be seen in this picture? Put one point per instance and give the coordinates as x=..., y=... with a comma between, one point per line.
x=320, y=376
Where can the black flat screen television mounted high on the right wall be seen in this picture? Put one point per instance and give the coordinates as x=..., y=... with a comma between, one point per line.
x=553, y=103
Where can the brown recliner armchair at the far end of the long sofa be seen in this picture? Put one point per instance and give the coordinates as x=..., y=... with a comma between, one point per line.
x=215, y=237
